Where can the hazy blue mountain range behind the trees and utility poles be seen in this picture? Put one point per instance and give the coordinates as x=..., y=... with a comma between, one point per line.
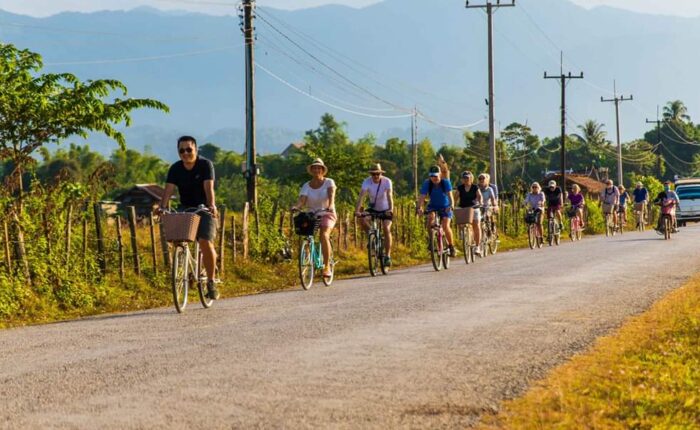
x=377, y=61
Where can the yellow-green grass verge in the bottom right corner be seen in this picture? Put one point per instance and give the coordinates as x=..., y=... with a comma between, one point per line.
x=644, y=376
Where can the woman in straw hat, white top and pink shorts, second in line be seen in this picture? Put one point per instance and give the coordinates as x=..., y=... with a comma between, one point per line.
x=318, y=195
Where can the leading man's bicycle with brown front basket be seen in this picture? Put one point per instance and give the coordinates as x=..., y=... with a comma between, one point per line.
x=181, y=230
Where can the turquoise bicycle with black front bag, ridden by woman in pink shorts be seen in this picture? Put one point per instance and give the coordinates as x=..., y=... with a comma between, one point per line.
x=310, y=257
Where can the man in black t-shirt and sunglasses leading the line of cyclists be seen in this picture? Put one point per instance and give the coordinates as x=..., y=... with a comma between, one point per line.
x=194, y=178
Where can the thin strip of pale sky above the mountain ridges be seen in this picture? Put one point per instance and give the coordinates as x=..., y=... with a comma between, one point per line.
x=50, y=7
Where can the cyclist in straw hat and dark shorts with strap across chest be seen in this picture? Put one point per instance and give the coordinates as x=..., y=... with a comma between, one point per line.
x=379, y=189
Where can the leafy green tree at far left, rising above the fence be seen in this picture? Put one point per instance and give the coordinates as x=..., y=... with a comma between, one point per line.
x=37, y=109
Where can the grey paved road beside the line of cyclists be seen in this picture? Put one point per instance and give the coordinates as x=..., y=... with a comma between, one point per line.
x=415, y=349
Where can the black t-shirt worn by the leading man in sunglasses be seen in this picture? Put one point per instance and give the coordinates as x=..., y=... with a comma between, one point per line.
x=190, y=183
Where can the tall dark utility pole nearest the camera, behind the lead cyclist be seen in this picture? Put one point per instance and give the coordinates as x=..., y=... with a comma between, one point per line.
x=251, y=170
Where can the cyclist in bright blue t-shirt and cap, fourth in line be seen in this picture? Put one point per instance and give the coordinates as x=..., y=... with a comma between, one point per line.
x=439, y=191
